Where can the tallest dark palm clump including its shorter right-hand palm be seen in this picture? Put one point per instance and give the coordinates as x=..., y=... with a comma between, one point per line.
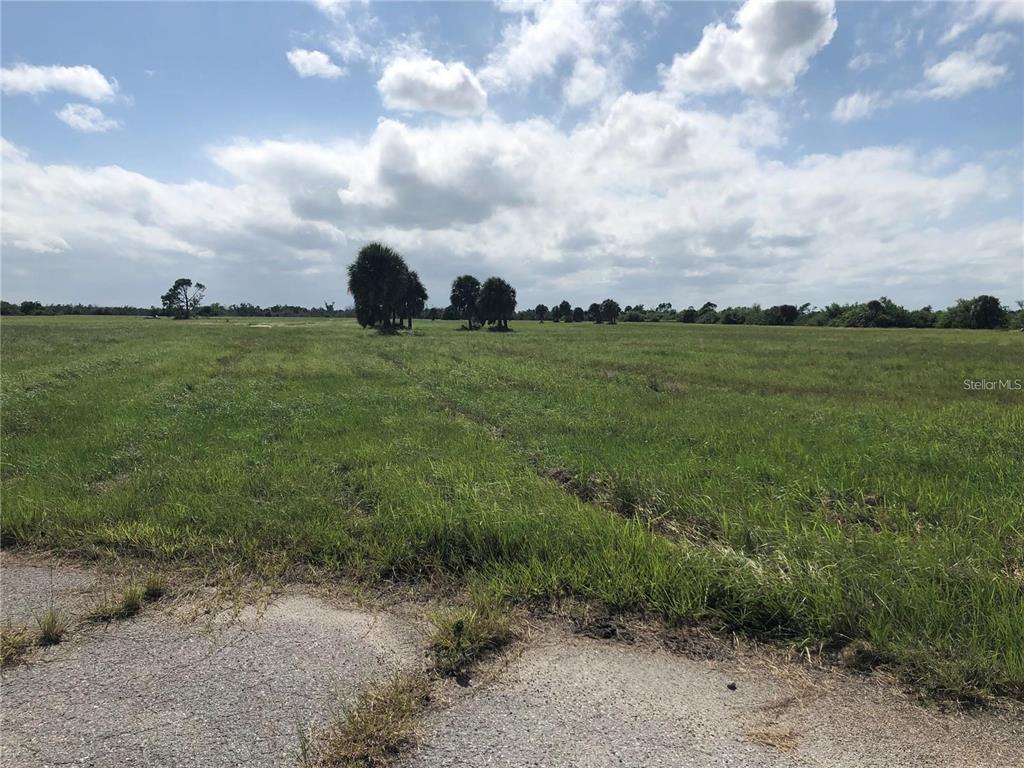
x=388, y=293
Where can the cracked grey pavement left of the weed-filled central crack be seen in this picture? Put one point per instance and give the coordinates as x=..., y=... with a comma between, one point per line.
x=156, y=692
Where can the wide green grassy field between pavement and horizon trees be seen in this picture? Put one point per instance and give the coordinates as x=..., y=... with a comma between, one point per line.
x=819, y=487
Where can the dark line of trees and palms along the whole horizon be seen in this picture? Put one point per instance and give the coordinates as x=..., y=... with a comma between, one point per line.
x=389, y=295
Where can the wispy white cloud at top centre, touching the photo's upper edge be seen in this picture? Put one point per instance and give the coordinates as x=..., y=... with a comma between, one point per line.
x=548, y=34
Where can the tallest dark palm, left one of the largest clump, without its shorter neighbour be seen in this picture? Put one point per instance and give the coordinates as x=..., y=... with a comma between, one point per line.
x=377, y=282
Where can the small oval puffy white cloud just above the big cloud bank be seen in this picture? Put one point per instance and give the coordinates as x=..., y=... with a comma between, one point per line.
x=423, y=84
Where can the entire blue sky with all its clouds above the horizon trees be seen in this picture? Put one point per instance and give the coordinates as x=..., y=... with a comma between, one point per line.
x=650, y=152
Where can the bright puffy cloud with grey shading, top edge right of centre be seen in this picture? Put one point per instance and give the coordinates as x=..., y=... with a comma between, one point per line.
x=766, y=49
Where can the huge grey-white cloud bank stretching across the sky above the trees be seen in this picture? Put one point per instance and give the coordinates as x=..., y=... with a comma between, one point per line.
x=645, y=200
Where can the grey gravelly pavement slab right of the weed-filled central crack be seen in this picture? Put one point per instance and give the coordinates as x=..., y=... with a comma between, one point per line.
x=587, y=704
